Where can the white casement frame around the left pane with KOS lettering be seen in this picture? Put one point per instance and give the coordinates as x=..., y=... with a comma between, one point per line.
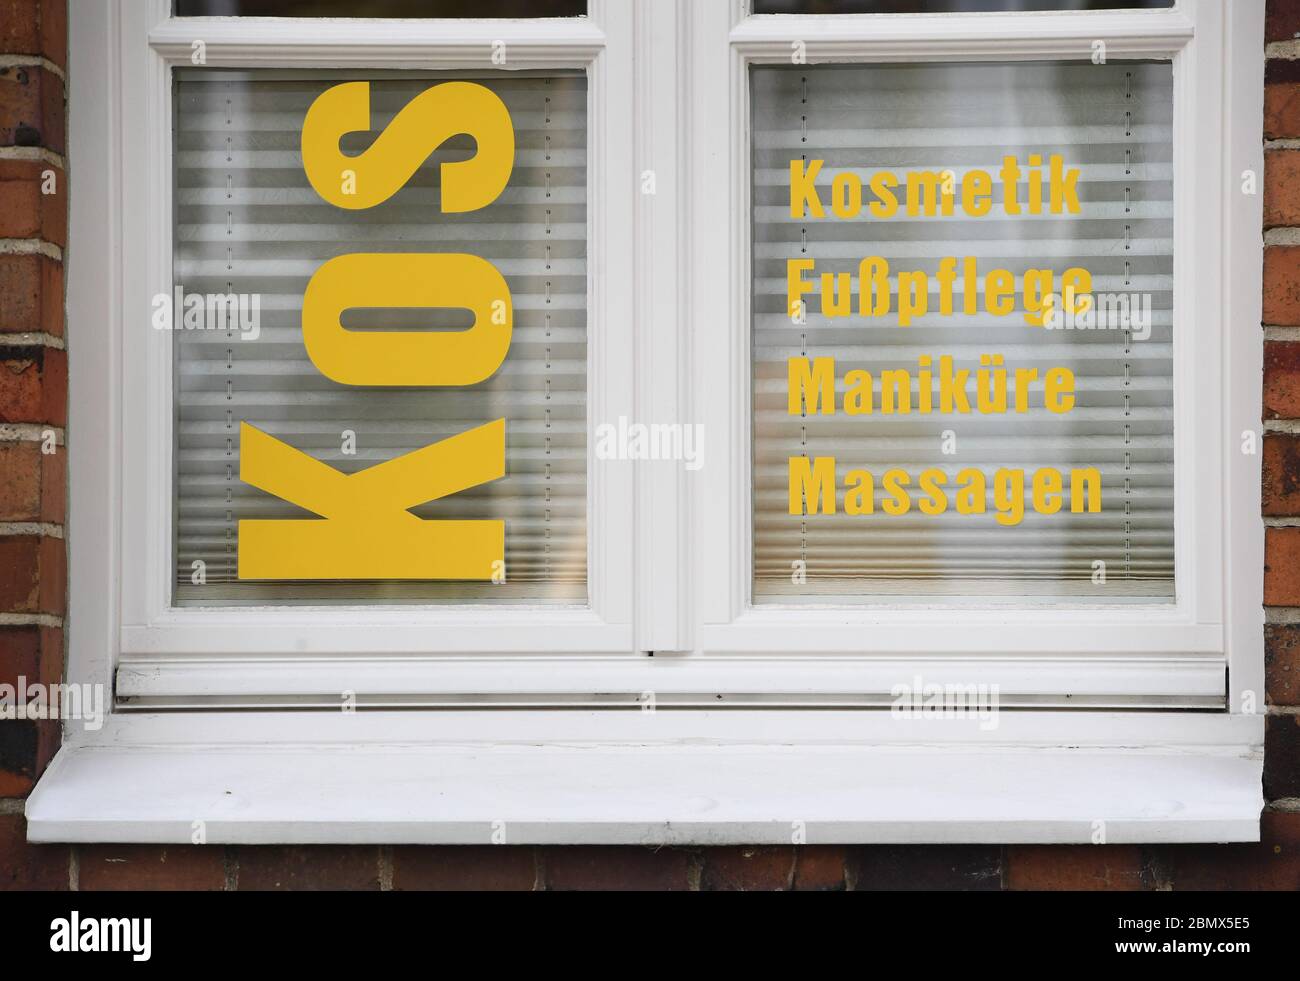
x=148, y=623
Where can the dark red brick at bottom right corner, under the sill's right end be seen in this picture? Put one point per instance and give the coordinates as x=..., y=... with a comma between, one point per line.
x=1272, y=865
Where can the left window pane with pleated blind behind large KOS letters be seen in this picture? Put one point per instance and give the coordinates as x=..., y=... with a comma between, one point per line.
x=252, y=224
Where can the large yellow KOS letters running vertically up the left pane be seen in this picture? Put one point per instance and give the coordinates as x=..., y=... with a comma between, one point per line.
x=366, y=529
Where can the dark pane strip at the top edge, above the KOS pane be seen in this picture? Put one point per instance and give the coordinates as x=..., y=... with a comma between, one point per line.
x=382, y=8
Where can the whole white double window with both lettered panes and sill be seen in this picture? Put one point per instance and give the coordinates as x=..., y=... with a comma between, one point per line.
x=674, y=656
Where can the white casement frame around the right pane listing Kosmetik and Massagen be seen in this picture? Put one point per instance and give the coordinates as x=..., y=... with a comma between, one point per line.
x=1117, y=649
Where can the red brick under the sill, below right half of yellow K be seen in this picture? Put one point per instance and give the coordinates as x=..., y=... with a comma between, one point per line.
x=487, y=869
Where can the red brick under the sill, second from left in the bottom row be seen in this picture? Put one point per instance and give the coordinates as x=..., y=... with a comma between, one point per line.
x=151, y=867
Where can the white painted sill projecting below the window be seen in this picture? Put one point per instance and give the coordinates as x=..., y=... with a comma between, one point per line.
x=655, y=779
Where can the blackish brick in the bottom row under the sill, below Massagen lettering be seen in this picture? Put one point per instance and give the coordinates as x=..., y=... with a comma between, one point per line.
x=926, y=867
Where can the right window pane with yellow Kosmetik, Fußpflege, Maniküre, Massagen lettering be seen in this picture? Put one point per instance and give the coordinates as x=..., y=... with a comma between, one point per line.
x=1113, y=124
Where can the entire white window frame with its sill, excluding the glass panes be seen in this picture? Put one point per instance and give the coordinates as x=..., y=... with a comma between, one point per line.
x=682, y=593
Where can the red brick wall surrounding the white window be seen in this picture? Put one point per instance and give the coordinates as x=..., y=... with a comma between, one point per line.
x=33, y=403
